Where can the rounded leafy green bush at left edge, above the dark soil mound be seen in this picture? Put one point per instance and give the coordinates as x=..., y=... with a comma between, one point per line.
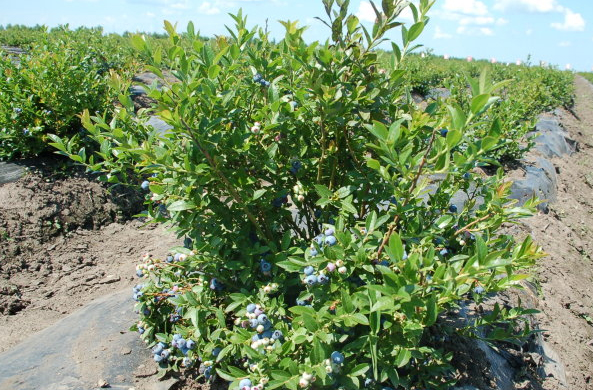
x=46, y=89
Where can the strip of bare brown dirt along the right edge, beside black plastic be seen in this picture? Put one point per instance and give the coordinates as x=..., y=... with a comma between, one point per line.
x=565, y=276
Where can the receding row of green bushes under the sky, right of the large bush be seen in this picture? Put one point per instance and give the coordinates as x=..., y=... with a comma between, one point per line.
x=531, y=91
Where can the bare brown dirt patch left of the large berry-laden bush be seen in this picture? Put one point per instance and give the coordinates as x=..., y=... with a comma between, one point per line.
x=65, y=241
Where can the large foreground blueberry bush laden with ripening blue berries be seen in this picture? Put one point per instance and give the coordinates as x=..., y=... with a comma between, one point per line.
x=322, y=242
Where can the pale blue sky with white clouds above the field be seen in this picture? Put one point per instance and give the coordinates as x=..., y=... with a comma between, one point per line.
x=559, y=32
